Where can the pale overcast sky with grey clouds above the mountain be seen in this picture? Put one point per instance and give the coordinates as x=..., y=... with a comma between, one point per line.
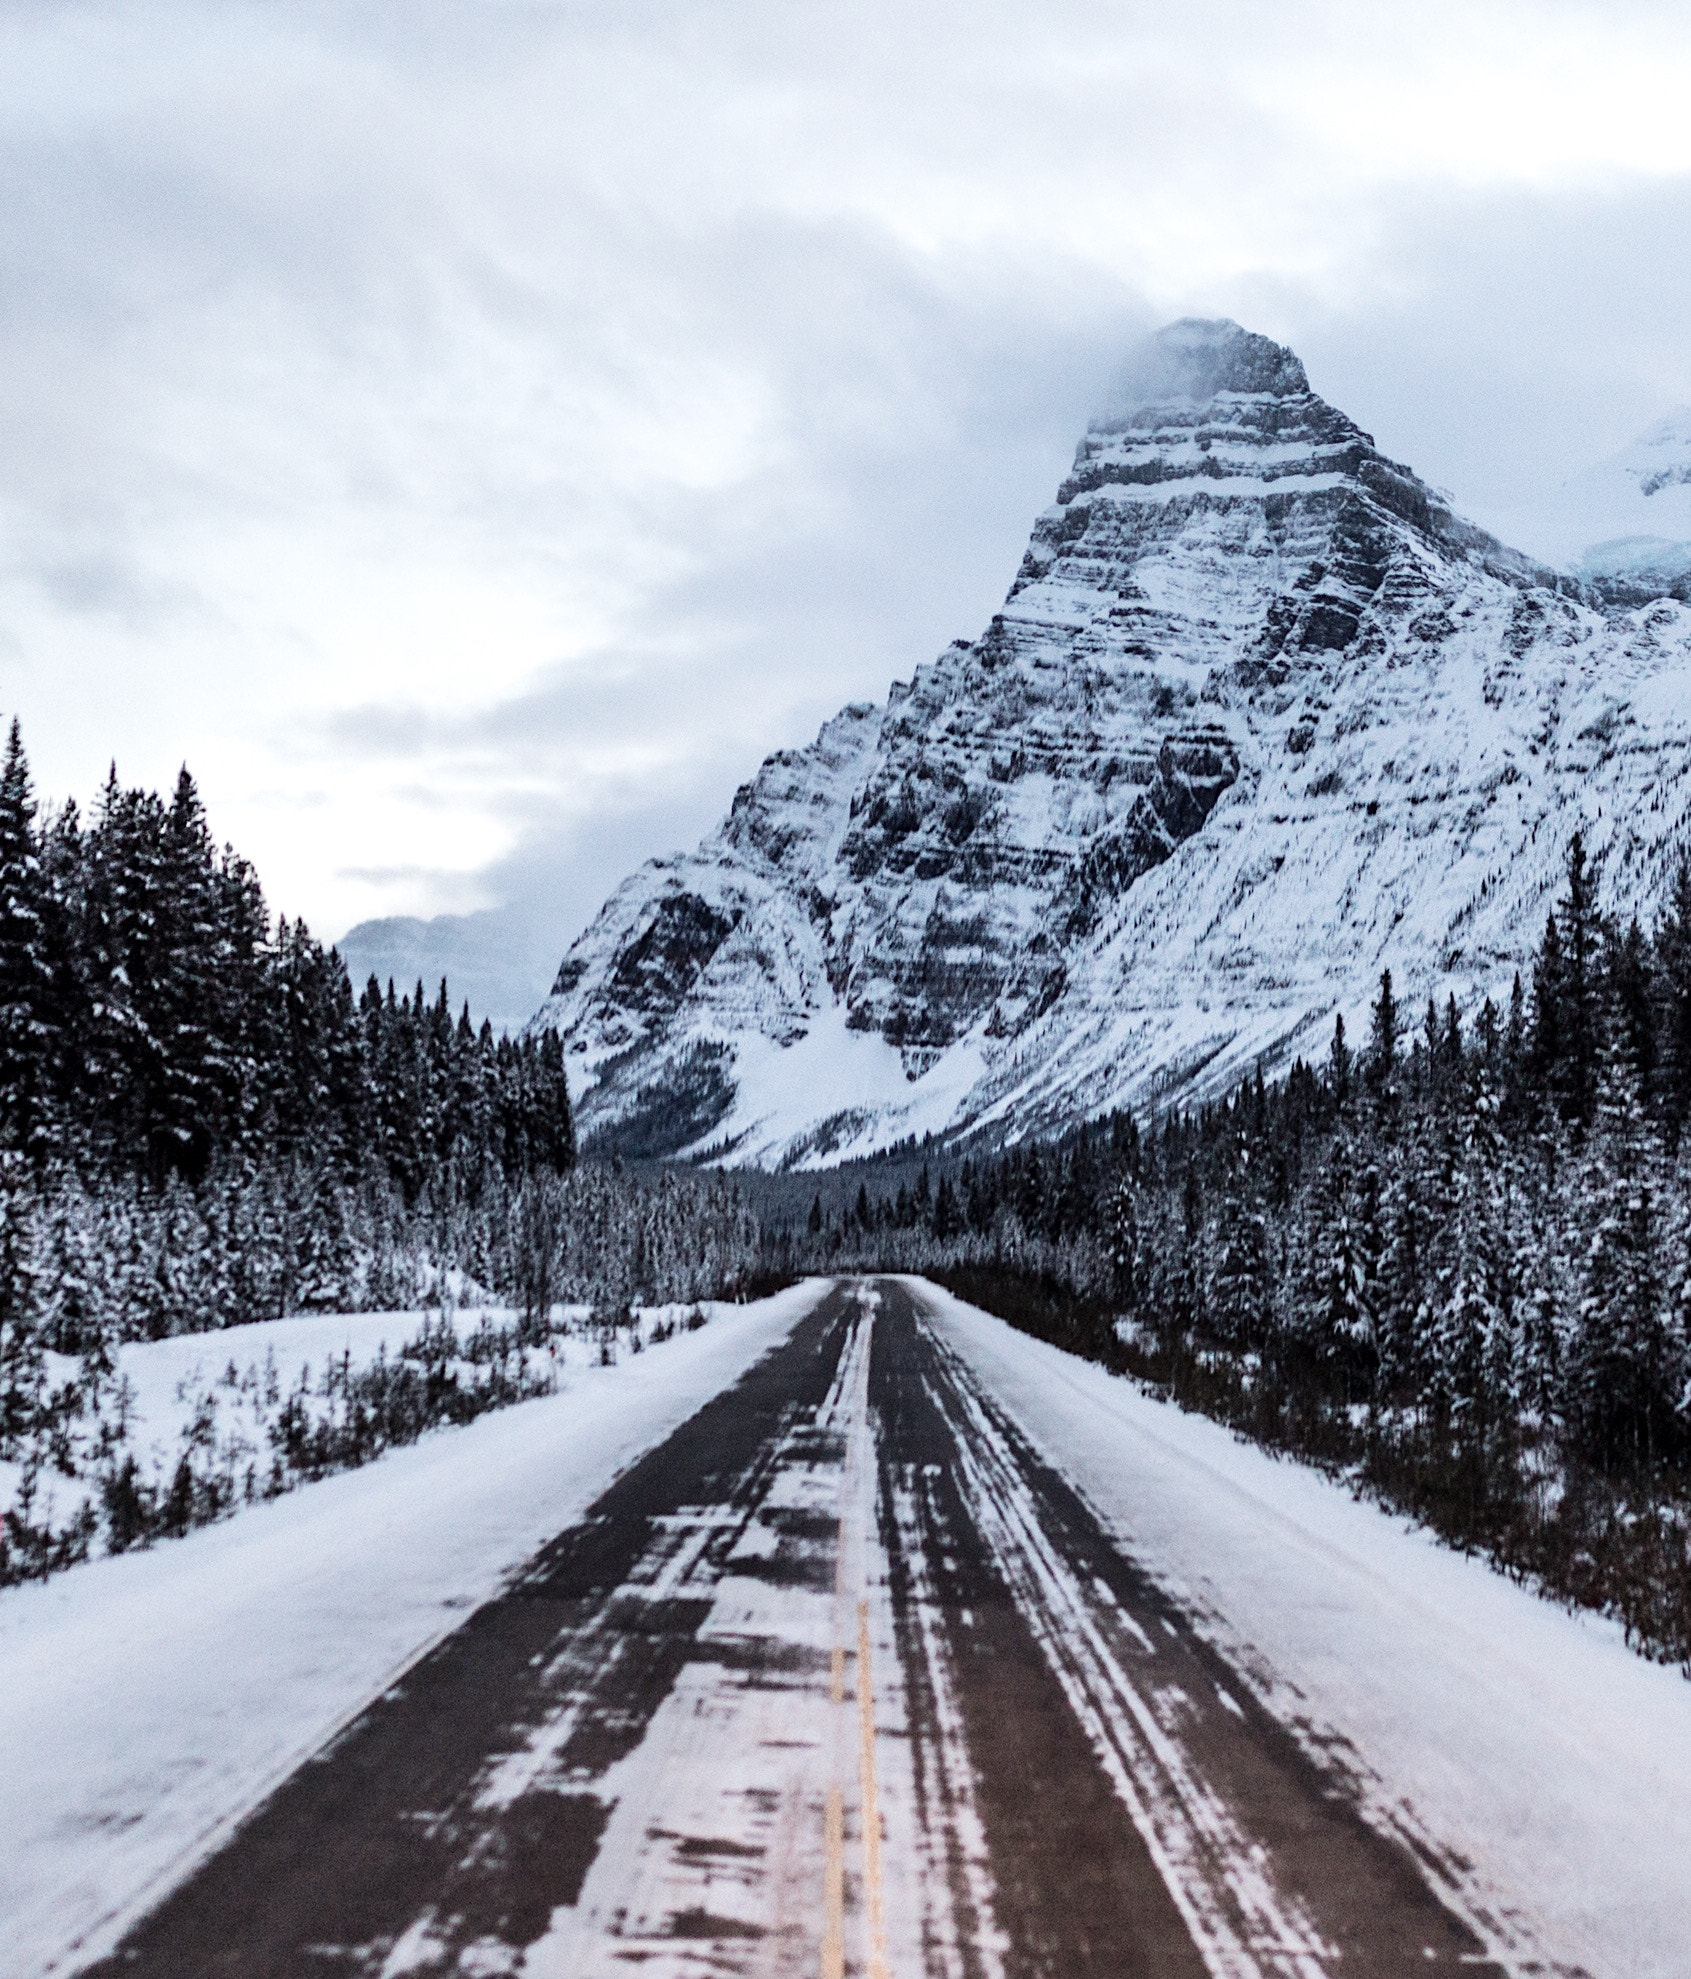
x=474, y=434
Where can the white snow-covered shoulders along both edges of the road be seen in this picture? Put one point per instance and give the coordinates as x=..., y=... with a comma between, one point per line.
x=149, y=1701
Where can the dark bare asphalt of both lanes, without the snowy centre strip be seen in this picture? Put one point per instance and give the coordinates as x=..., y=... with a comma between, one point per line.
x=1140, y=1814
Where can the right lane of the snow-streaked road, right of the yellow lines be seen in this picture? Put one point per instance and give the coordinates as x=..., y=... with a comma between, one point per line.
x=1066, y=1655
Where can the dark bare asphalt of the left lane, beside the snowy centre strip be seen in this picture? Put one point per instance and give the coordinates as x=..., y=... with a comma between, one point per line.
x=389, y=1824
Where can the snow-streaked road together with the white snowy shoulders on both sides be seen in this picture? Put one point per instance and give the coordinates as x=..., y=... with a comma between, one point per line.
x=920, y=1649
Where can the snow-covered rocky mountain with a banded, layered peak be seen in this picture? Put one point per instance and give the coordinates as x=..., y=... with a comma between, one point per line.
x=1260, y=717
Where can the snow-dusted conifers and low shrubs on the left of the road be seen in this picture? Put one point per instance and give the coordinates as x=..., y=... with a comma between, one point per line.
x=205, y=1127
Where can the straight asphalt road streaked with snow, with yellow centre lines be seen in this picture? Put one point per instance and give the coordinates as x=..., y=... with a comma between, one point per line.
x=839, y=1681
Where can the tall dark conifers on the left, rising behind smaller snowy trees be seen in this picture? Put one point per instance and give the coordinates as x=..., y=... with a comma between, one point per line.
x=153, y=1024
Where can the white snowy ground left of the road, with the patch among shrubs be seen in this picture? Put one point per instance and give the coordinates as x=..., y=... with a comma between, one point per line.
x=148, y=1701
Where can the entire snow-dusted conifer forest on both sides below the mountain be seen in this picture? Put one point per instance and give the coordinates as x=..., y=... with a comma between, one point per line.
x=1452, y=1262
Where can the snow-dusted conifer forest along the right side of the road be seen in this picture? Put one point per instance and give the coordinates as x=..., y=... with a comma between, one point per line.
x=1452, y=1262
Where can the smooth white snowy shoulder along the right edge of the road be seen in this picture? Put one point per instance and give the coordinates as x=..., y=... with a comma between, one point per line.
x=1470, y=1713
